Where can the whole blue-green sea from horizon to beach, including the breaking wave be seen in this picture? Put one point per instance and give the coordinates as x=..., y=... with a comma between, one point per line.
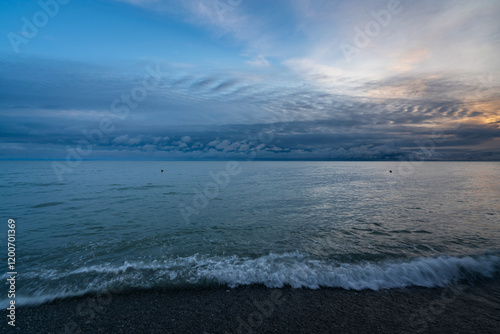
x=100, y=226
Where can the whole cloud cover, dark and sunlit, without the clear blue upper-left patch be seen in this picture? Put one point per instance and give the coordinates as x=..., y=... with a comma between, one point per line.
x=432, y=68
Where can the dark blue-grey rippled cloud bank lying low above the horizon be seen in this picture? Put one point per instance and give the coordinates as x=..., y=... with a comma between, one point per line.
x=49, y=103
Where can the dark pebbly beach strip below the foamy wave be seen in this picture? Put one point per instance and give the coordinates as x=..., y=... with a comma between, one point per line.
x=458, y=308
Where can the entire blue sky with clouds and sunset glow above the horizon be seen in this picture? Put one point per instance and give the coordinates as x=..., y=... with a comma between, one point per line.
x=250, y=79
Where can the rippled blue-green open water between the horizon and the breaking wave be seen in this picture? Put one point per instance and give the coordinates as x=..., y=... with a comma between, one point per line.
x=350, y=212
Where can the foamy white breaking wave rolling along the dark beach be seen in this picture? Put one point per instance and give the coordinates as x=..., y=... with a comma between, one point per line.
x=273, y=270
